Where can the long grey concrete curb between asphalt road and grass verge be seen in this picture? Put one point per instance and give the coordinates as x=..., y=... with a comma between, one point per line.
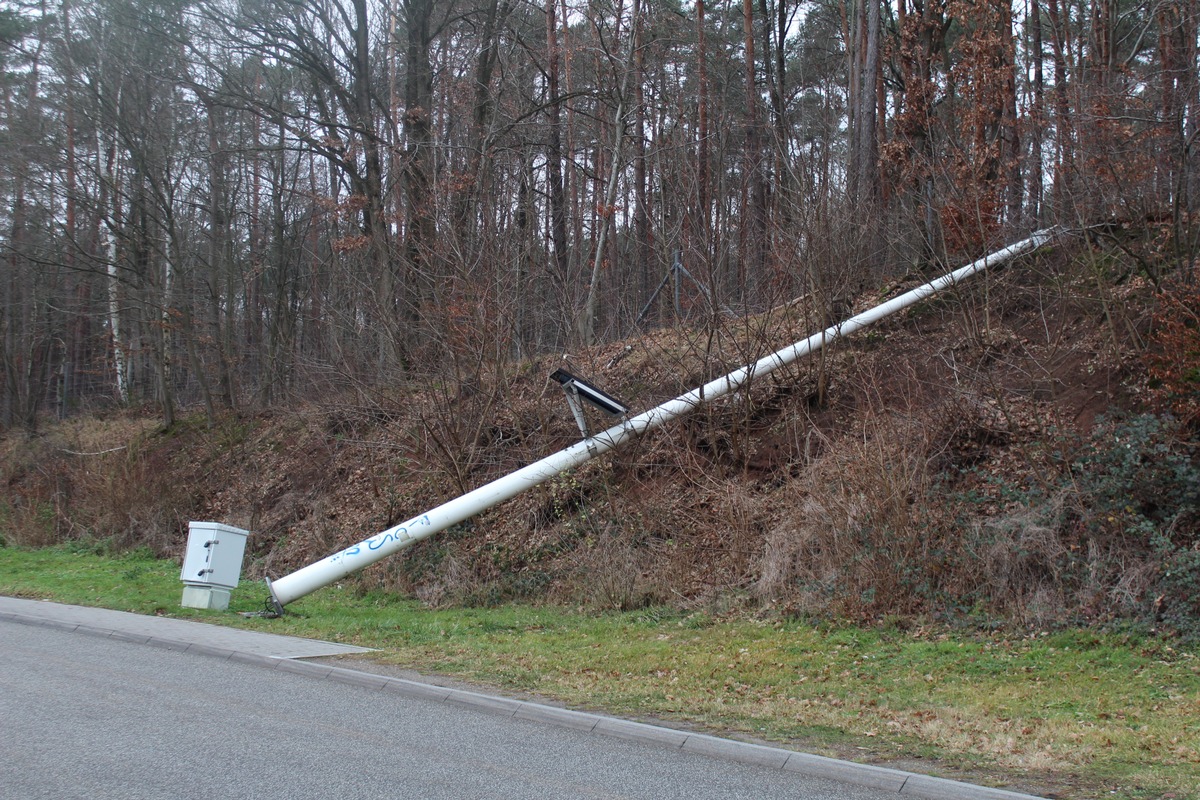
x=909, y=785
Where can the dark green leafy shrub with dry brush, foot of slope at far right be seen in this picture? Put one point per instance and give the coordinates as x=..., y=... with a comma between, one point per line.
x=1118, y=536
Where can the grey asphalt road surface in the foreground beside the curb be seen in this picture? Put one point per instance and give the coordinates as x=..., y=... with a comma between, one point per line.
x=83, y=717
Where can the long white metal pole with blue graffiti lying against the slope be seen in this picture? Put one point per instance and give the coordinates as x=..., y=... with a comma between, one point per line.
x=357, y=557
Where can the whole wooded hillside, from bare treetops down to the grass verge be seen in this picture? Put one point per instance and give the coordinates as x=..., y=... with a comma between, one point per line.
x=345, y=239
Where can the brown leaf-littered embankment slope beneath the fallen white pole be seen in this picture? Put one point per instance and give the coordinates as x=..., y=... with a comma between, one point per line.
x=927, y=466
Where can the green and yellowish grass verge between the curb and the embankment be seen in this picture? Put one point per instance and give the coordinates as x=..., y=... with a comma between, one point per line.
x=1070, y=714
